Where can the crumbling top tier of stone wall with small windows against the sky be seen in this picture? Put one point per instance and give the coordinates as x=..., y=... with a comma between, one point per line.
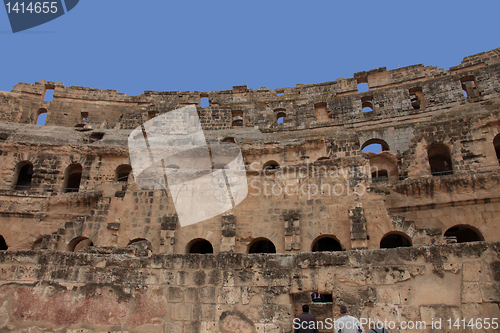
x=391, y=94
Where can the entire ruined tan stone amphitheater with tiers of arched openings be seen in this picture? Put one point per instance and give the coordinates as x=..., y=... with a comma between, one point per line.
x=406, y=232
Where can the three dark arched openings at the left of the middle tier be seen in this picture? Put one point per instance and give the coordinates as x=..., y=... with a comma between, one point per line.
x=72, y=176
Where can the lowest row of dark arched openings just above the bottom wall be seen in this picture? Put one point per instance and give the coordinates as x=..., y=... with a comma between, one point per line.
x=324, y=243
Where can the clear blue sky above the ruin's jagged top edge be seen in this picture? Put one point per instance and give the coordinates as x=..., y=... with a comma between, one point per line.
x=132, y=46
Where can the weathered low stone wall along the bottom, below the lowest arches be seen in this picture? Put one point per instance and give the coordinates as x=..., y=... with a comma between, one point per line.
x=82, y=292
